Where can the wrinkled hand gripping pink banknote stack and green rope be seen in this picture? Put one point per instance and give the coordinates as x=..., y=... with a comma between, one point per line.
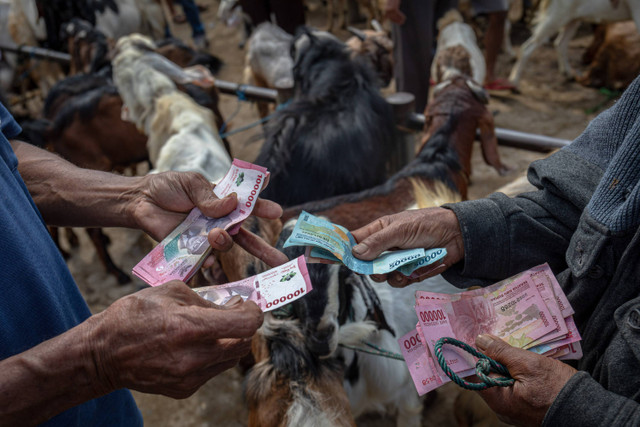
x=539, y=379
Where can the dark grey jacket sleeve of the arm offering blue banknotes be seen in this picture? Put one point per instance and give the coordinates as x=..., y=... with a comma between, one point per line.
x=504, y=236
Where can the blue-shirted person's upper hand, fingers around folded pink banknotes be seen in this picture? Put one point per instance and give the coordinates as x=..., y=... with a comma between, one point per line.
x=165, y=199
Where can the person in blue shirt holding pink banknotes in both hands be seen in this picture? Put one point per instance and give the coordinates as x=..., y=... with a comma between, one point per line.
x=59, y=364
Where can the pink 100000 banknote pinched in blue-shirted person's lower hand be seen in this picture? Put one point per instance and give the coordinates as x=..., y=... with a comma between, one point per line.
x=270, y=290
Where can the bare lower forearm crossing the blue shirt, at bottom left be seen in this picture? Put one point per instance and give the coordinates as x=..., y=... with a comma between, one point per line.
x=48, y=379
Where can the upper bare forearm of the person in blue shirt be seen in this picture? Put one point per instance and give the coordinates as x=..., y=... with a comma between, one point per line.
x=67, y=195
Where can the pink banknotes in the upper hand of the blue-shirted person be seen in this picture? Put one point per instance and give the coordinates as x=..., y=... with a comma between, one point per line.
x=184, y=250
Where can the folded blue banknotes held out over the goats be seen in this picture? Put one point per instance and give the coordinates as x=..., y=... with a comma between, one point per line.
x=332, y=243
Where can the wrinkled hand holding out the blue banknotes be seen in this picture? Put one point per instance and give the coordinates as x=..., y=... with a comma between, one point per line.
x=420, y=228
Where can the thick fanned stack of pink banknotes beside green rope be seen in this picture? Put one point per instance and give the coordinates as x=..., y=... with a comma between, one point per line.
x=528, y=311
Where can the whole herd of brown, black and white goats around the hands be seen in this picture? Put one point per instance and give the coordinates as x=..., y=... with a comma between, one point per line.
x=327, y=148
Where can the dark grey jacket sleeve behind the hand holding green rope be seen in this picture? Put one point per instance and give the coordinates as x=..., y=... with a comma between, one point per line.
x=594, y=406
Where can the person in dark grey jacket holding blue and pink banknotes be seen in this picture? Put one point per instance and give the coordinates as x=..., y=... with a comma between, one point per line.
x=584, y=220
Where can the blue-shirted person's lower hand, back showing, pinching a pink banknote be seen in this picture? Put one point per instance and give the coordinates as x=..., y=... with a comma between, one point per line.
x=168, y=340
